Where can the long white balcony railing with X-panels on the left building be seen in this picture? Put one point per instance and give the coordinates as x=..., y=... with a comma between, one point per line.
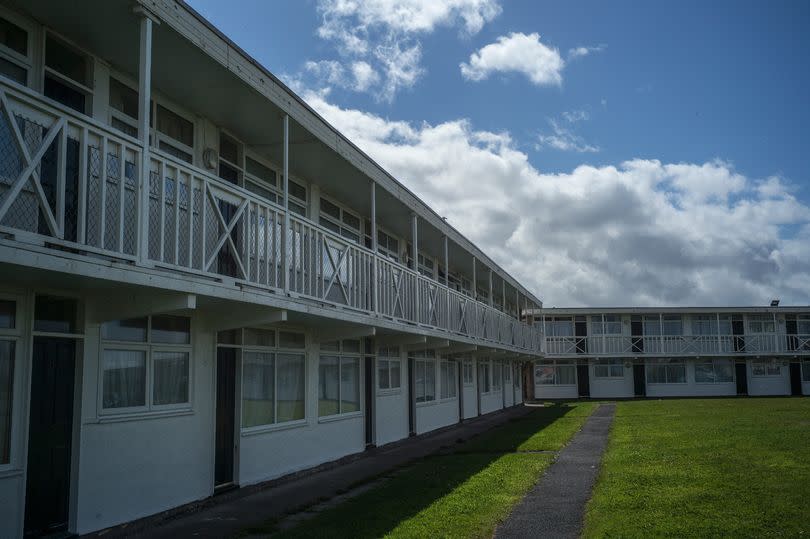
x=68, y=182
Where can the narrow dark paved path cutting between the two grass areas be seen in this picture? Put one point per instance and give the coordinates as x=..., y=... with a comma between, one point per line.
x=555, y=506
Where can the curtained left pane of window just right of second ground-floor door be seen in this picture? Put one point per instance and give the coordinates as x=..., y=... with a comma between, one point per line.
x=258, y=389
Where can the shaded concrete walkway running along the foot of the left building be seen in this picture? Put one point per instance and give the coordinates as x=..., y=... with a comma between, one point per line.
x=228, y=514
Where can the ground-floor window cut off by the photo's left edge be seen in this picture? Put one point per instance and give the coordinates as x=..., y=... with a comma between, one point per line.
x=8, y=347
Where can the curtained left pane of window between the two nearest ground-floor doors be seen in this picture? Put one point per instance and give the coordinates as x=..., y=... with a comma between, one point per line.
x=124, y=378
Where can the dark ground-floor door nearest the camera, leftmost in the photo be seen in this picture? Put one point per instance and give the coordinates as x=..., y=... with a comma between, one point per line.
x=50, y=435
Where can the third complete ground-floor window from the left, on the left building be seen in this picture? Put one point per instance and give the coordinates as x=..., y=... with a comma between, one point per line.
x=339, y=378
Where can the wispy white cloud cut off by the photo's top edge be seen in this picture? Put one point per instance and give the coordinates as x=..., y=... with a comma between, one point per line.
x=382, y=37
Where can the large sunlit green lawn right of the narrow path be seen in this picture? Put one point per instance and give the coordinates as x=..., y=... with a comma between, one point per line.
x=705, y=468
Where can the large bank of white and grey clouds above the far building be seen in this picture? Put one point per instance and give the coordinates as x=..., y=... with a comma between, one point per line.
x=642, y=232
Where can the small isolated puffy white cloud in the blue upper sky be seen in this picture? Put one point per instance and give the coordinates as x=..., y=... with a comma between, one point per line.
x=517, y=52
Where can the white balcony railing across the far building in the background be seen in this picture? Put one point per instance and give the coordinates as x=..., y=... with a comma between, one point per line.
x=666, y=345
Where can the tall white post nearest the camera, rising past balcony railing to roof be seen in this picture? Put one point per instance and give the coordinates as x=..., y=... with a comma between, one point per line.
x=144, y=102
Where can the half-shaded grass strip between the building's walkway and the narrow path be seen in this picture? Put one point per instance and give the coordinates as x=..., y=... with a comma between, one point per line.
x=462, y=494
